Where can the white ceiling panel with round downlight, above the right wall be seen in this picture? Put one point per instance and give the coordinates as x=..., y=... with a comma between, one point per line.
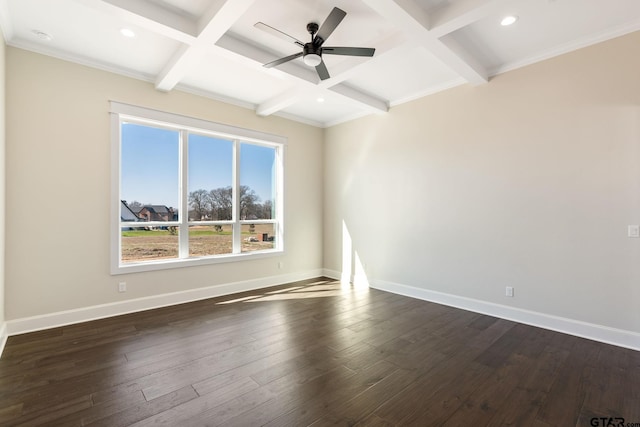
x=546, y=29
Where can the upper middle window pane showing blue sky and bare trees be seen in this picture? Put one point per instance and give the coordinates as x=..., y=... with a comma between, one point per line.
x=210, y=178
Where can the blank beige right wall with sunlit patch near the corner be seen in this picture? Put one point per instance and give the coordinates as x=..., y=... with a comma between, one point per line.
x=529, y=181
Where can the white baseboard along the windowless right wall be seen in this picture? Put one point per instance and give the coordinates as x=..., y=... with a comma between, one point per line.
x=605, y=334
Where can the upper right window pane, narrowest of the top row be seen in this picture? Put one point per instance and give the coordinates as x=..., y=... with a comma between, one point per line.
x=257, y=181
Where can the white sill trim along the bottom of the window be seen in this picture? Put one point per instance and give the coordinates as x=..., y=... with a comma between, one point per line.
x=192, y=262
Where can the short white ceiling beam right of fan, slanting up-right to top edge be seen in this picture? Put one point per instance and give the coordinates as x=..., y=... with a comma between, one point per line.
x=459, y=14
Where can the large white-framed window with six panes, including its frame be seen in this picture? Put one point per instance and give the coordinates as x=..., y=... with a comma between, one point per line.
x=189, y=192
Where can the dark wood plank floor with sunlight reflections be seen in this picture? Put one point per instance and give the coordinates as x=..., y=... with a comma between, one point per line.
x=313, y=353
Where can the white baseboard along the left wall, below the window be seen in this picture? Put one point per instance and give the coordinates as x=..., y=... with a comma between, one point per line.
x=85, y=314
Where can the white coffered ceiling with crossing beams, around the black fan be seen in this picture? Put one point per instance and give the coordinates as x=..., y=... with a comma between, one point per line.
x=212, y=47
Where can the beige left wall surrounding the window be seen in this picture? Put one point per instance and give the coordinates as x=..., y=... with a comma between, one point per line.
x=58, y=187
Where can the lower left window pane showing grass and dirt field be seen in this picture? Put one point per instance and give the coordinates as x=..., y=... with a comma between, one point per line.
x=147, y=244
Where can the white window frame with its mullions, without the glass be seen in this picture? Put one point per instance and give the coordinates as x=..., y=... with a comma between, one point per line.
x=124, y=112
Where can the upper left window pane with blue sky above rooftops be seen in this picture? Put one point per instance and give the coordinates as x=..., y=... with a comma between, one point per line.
x=149, y=171
